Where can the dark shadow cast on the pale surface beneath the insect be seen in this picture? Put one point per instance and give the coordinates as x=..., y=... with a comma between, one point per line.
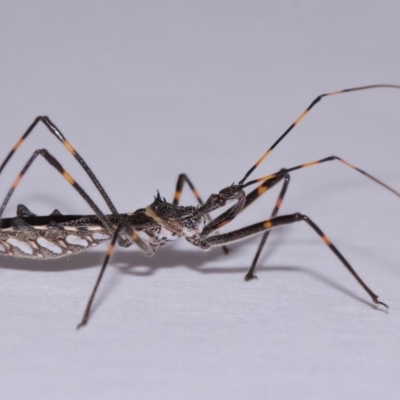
x=135, y=264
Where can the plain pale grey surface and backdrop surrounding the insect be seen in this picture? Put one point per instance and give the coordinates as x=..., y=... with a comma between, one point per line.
x=145, y=90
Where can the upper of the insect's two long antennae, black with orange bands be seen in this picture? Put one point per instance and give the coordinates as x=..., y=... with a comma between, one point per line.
x=303, y=114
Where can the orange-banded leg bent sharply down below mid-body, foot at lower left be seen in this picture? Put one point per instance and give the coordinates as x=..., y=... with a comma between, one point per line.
x=134, y=238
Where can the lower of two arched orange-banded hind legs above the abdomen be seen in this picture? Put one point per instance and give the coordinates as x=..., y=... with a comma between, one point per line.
x=54, y=163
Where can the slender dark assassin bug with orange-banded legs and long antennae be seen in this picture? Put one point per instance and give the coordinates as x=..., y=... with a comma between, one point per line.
x=57, y=235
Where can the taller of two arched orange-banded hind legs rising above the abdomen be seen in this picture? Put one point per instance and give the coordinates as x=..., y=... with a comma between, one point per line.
x=57, y=133
